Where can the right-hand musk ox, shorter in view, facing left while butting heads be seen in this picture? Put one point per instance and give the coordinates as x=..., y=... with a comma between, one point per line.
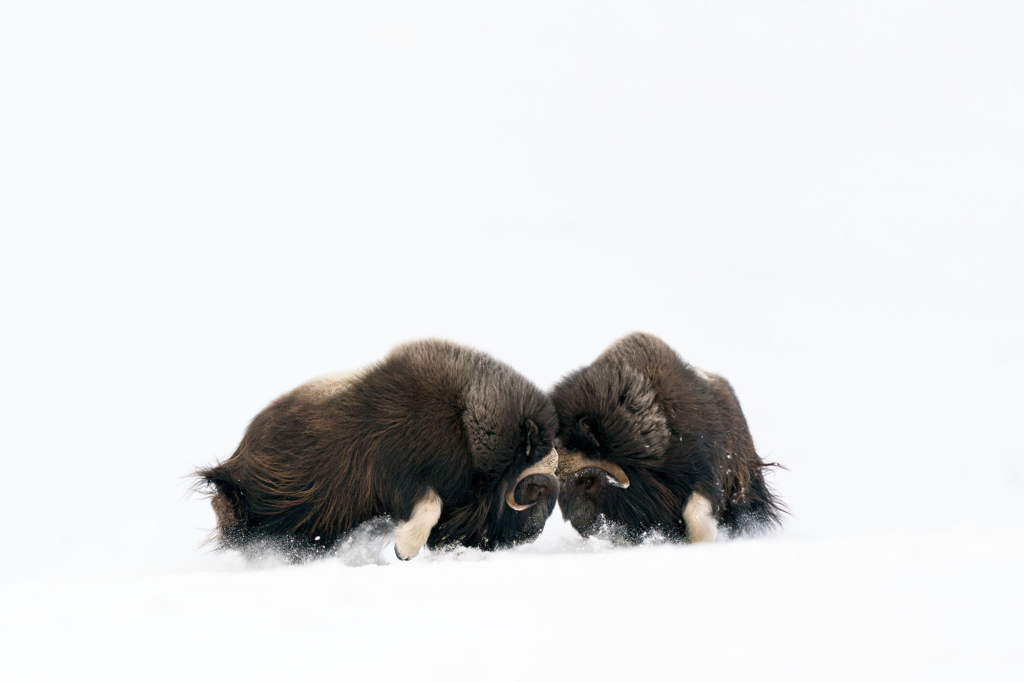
x=649, y=444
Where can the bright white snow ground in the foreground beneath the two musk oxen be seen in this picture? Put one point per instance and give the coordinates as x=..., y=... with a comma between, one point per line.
x=890, y=607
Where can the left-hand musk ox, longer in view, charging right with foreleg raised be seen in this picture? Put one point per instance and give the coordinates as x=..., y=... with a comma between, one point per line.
x=454, y=446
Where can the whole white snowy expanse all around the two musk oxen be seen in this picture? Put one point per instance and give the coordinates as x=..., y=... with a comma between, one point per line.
x=206, y=203
